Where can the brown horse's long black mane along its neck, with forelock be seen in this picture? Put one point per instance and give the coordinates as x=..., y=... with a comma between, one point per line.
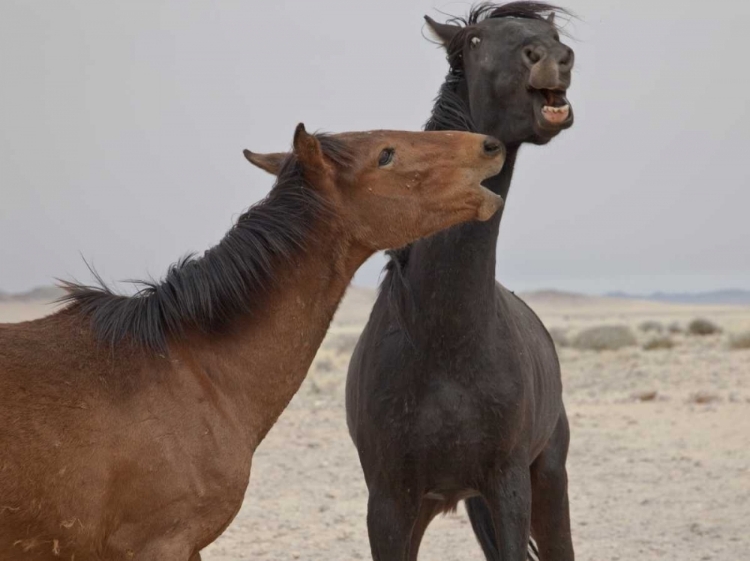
x=232, y=278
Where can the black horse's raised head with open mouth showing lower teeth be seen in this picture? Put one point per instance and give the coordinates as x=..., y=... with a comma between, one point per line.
x=514, y=70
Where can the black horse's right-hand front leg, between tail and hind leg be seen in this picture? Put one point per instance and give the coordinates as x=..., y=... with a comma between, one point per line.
x=508, y=498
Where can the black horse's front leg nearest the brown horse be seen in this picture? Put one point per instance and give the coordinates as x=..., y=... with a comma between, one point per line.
x=391, y=516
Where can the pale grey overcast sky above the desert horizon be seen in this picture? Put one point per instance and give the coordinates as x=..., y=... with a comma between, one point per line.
x=122, y=126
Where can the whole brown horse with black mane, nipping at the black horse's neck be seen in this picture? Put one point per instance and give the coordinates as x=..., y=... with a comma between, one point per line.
x=128, y=424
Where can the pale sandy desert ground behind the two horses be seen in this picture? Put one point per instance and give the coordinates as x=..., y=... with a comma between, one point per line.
x=659, y=464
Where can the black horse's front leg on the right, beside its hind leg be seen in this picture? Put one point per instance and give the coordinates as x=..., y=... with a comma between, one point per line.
x=501, y=521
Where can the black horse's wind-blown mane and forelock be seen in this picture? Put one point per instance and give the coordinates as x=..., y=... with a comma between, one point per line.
x=449, y=112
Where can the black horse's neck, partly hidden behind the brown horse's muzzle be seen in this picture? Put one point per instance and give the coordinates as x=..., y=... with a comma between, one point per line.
x=448, y=280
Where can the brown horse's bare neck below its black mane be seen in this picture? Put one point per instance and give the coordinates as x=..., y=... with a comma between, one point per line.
x=261, y=363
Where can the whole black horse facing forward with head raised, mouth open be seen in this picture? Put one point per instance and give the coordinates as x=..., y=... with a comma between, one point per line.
x=454, y=389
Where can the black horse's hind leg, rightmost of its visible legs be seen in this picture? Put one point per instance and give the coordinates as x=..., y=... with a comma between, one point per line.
x=550, y=515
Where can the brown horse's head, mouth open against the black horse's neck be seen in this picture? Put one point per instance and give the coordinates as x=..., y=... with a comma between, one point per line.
x=393, y=187
